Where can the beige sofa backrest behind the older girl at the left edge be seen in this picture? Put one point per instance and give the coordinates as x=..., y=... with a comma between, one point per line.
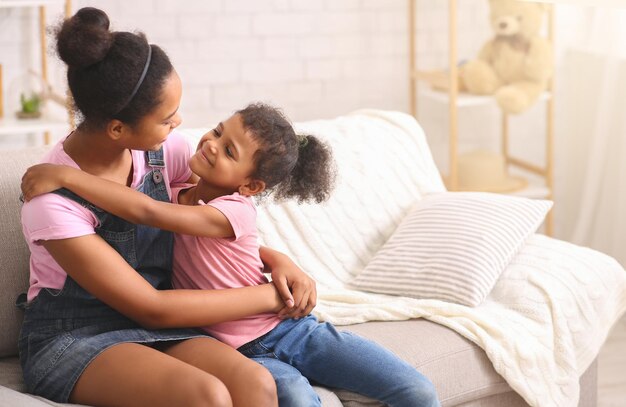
x=13, y=250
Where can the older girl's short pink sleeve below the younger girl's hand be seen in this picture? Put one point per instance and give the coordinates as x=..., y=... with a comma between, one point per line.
x=51, y=217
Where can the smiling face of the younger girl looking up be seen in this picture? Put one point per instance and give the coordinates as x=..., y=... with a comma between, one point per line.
x=224, y=160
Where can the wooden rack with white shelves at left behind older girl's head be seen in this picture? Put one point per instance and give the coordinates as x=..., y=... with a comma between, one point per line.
x=11, y=125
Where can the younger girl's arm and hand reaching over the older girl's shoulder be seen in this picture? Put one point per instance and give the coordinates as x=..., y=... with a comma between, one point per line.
x=135, y=207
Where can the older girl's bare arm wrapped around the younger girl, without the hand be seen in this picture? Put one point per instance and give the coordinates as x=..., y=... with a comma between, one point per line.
x=98, y=268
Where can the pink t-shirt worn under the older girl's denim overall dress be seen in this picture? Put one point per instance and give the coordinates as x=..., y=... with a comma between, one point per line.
x=51, y=216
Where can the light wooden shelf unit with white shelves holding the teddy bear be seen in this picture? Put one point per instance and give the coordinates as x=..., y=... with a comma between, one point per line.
x=457, y=100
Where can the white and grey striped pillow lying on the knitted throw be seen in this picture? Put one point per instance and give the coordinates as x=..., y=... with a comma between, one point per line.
x=453, y=246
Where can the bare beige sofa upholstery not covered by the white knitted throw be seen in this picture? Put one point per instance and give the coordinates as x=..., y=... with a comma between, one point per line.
x=459, y=369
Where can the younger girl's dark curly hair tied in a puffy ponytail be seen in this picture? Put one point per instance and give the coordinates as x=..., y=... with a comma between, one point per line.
x=291, y=165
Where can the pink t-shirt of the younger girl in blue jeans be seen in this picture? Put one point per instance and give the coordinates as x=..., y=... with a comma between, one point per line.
x=217, y=263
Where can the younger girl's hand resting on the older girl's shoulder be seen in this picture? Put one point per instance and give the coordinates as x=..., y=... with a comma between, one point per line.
x=43, y=178
